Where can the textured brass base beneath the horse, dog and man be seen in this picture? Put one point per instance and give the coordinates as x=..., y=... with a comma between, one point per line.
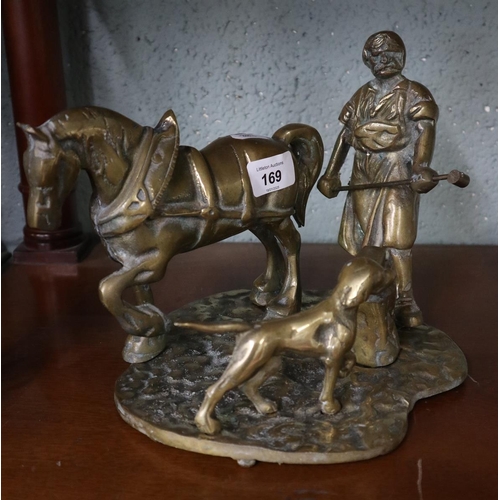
x=161, y=397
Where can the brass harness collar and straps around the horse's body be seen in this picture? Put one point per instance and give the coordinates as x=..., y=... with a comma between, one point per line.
x=152, y=168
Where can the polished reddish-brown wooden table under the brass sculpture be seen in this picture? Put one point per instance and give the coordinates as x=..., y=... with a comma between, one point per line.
x=62, y=437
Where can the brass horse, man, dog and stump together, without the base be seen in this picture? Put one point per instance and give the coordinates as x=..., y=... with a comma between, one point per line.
x=154, y=198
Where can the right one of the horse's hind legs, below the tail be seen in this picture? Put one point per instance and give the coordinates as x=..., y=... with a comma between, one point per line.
x=289, y=300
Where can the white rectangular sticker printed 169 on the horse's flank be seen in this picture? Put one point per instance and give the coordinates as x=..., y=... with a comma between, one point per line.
x=271, y=174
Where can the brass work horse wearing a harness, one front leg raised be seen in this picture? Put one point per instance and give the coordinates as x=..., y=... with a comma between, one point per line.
x=153, y=199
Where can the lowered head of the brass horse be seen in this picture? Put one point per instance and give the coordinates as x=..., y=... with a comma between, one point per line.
x=51, y=172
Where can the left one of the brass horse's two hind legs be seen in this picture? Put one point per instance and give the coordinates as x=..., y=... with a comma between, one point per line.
x=269, y=283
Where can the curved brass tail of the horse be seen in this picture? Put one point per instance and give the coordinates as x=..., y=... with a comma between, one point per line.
x=307, y=147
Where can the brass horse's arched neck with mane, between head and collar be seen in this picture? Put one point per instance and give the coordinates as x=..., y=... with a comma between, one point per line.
x=105, y=143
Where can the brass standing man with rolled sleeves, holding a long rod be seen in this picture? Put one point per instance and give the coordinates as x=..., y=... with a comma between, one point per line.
x=390, y=122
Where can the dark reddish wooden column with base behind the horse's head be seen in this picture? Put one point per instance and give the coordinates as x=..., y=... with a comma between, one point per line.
x=34, y=58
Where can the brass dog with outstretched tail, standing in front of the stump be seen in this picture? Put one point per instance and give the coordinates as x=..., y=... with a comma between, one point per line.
x=327, y=330
